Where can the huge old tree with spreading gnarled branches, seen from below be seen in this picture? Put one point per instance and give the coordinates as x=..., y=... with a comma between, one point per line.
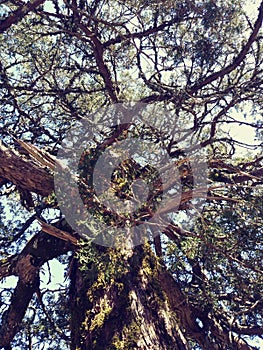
x=198, y=283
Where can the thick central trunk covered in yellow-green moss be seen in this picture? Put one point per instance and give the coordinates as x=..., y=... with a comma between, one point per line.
x=120, y=304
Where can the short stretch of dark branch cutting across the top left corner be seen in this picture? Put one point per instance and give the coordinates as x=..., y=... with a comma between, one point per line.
x=19, y=14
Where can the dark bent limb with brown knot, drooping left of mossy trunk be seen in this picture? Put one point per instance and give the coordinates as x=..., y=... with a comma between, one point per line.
x=40, y=249
